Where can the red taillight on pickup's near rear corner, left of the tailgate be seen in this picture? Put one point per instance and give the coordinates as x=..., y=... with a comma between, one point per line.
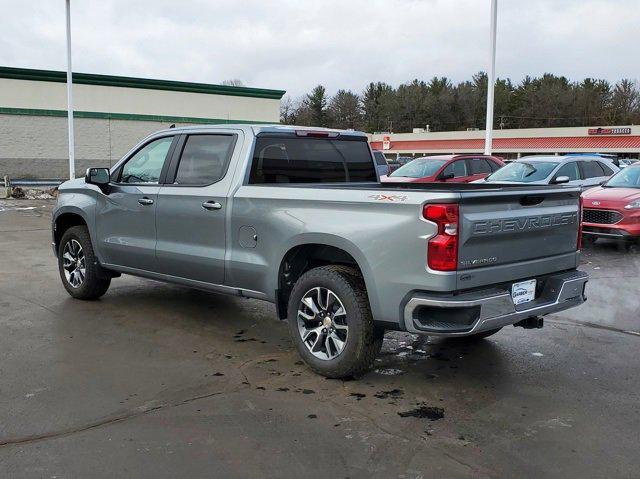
x=442, y=249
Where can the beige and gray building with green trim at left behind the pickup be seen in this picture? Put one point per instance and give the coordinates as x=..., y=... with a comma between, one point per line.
x=112, y=113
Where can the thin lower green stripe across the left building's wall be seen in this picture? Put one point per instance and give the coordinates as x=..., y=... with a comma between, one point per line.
x=125, y=116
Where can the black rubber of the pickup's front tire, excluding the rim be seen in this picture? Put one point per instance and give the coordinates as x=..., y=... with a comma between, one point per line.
x=94, y=284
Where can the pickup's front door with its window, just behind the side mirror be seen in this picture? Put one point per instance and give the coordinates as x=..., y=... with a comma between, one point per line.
x=126, y=216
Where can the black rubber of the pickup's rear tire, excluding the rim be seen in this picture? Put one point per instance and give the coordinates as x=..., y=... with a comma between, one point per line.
x=364, y=339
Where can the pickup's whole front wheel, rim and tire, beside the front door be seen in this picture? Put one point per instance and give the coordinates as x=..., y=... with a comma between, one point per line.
x=78, y=265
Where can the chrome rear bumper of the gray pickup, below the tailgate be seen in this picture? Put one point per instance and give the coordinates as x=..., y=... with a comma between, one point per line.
x=469, y=313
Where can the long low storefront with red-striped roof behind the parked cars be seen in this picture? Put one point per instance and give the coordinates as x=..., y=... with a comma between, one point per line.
x=623, y=141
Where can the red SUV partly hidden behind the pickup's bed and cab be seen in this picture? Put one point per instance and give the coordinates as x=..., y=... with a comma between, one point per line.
x=449, y=168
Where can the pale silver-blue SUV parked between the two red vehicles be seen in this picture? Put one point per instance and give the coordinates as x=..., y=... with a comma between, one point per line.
x=585, y=172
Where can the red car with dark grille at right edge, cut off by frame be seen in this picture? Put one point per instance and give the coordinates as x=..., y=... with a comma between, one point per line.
x=613, y=209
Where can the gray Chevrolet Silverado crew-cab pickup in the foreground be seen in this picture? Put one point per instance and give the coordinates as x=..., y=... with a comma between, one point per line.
x=298, y=217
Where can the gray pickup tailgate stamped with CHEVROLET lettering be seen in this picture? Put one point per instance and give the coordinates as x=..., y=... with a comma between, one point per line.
x=516, y=233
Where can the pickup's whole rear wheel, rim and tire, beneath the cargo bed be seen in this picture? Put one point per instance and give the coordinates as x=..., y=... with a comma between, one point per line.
x=331, y=324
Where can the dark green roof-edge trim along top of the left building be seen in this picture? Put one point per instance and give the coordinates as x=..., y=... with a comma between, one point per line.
x=132, y=82
